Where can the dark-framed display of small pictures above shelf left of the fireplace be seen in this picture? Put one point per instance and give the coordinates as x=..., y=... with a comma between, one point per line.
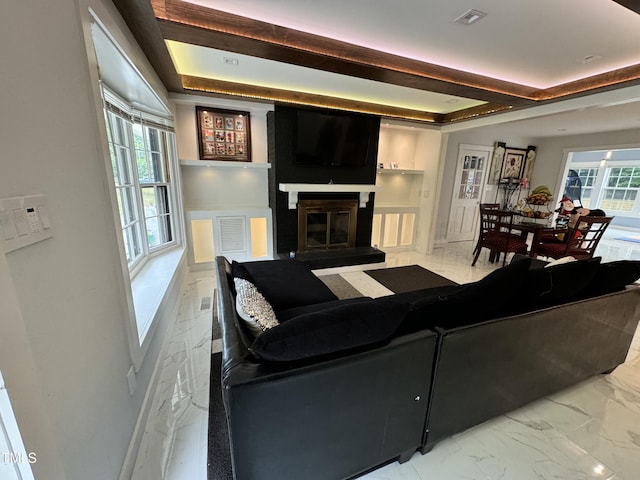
x=223, y=134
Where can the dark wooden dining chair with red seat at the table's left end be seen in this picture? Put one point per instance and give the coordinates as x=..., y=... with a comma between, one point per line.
x=497, y=235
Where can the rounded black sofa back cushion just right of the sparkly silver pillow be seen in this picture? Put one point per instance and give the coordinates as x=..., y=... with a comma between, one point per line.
x=331, y=331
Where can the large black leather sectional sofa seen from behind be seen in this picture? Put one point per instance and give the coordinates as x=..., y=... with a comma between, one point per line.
x=340, y=387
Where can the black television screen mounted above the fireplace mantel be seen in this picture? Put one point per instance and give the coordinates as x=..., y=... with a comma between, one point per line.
x=335, y=139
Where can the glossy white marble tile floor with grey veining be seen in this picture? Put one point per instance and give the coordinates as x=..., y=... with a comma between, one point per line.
x=591, y=431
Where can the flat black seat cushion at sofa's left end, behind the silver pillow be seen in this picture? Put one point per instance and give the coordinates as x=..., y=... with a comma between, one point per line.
x=285, y=283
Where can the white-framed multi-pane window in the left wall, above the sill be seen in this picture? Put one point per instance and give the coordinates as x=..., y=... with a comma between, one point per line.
x=141, y=153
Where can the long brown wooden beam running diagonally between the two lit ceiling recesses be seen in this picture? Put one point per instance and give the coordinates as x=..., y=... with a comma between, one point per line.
x=189, y=23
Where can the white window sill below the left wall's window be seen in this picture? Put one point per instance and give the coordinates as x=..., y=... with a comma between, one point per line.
x=151, y=284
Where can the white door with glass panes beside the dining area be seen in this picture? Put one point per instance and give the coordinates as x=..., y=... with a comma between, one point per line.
x=471, y=174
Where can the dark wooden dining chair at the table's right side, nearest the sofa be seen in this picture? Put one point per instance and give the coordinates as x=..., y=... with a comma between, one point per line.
x=579, y=241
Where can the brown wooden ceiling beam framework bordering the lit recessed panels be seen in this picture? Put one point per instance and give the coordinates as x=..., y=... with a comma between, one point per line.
x=153, y=21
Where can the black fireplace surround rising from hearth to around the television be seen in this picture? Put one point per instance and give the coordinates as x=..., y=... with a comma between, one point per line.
x=285, y=170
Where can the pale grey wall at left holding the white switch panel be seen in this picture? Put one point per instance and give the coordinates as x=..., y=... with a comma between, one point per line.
x=67, y=378
